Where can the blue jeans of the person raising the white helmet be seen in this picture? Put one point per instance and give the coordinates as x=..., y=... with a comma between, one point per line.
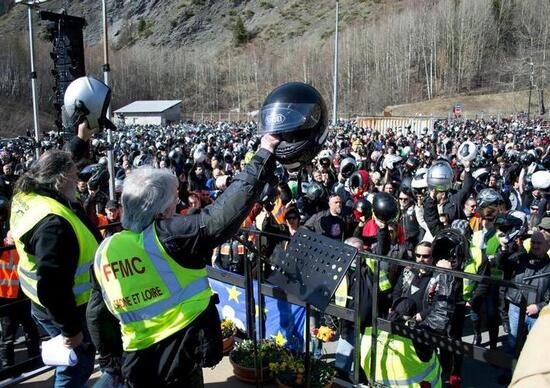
x=70, y=376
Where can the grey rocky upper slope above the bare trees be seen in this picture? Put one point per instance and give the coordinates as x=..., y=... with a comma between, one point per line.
x=204, y=25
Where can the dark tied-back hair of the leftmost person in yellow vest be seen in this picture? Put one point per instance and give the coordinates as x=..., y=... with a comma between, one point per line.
x=50, y=171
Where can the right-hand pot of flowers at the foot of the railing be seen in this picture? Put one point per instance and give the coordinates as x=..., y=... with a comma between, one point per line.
x=290, y=372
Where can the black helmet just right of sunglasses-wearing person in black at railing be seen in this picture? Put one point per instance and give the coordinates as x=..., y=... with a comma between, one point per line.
x=450, y=244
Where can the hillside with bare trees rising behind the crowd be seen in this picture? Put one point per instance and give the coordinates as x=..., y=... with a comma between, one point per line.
x=220, y=56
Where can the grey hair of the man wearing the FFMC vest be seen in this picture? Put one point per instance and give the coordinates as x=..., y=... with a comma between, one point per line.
x=147, y=192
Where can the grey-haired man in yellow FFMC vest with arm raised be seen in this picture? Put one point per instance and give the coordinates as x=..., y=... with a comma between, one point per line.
x=152, y=276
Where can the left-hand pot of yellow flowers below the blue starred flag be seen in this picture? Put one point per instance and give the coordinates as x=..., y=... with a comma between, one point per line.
x=242, y=359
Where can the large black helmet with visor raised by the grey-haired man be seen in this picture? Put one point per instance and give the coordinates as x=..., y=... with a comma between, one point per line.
x=297, y=113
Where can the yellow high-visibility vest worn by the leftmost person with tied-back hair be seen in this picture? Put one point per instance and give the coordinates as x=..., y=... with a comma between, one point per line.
x=27, y=210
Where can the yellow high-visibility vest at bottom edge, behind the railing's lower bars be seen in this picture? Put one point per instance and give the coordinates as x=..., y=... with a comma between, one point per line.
x=397, y=364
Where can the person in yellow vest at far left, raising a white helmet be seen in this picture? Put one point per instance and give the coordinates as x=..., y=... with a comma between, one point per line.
x=55, y=239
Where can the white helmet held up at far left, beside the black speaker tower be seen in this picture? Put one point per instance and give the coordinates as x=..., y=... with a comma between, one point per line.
x=87, y=98
